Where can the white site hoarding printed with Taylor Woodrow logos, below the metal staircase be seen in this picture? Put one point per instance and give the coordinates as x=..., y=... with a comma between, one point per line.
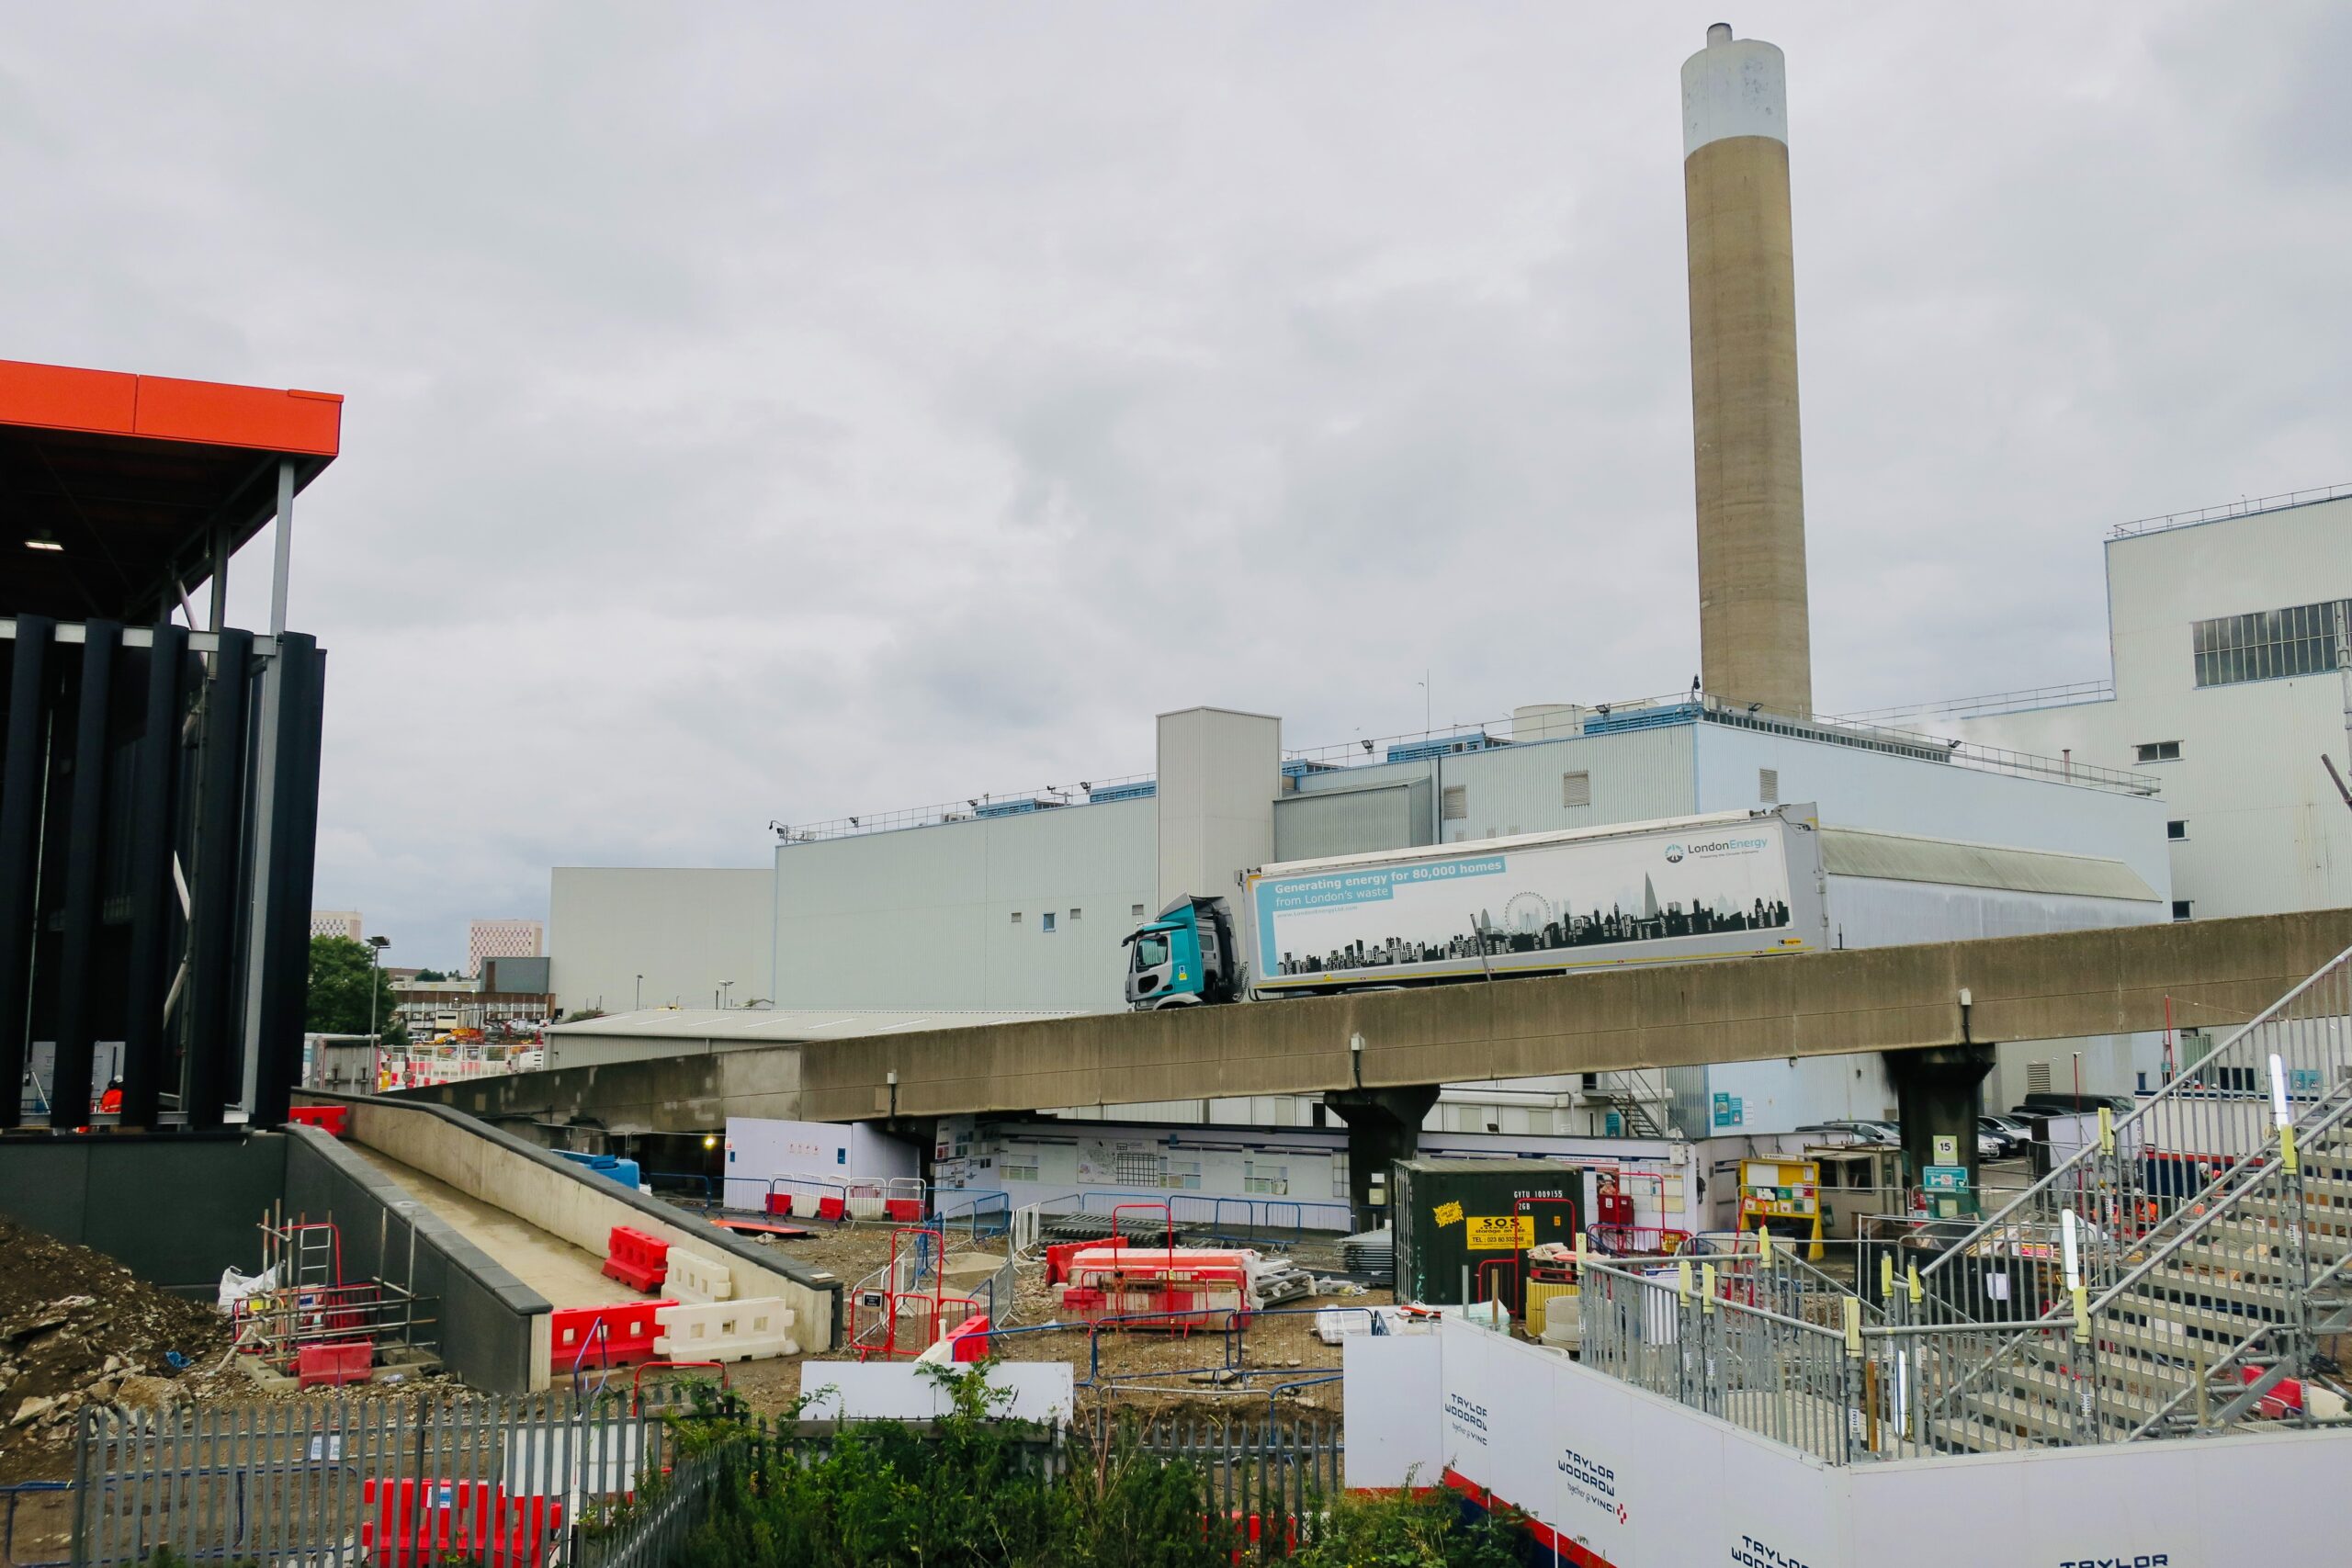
x=1612, y=1477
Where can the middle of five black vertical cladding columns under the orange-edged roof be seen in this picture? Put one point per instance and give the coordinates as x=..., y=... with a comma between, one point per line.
x=154, y=810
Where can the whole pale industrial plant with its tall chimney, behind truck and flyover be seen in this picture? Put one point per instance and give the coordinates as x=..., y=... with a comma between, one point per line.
x=2189, y=789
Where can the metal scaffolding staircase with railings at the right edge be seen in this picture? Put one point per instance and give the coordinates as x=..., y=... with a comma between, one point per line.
x=2179, y=1275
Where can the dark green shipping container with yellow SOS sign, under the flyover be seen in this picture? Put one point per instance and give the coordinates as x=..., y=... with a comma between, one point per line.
x=1459, y=1214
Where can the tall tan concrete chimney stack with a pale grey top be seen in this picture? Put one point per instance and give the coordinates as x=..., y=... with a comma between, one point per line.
x=1753, y=629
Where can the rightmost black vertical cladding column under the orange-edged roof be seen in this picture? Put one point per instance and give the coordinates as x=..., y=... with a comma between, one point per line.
x=286, y=960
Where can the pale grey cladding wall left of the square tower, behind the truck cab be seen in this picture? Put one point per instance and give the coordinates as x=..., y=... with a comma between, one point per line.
x=926, y=916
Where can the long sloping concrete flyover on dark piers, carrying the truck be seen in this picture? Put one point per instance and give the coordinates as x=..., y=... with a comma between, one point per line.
x=1946, y=1003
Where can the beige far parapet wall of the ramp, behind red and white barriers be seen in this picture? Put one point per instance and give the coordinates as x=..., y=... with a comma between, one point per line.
x=566, y=1200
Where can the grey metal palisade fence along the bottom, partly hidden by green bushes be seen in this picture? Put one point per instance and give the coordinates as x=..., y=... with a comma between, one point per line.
x=542, y=1482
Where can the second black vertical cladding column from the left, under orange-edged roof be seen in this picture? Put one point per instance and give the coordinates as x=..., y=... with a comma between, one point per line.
x=86, y=850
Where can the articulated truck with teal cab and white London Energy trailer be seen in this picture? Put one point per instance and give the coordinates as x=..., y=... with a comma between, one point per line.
x=1542, y=904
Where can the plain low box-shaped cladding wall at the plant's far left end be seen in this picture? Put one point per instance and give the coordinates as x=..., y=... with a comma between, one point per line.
x=688, y=932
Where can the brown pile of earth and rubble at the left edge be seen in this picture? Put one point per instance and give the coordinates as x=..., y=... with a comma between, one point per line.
x=79, y=1329
